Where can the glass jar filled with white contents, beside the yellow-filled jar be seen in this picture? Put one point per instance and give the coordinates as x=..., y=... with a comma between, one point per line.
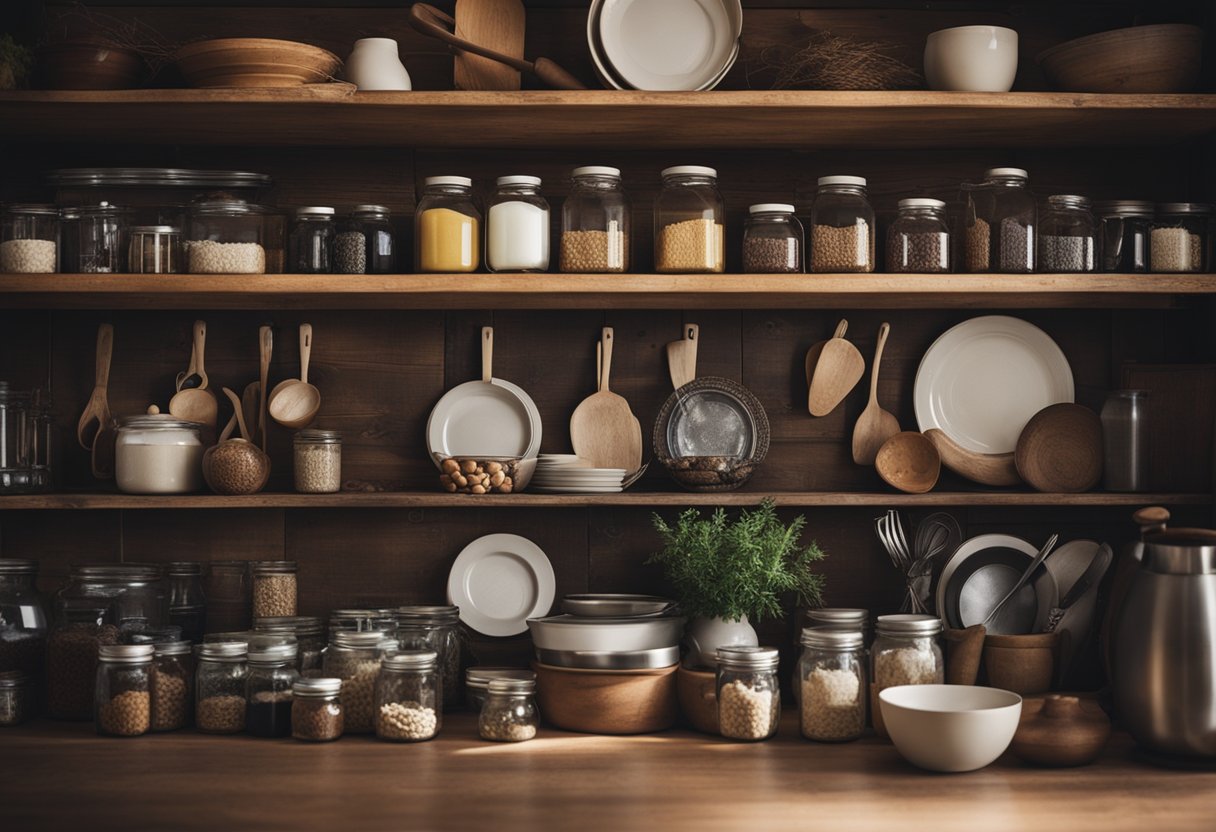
x=517, y=227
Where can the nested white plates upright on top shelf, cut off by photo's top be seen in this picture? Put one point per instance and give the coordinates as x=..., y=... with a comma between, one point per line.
x=669, y=46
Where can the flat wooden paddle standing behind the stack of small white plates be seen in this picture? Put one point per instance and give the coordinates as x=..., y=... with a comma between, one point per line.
x=604, y=430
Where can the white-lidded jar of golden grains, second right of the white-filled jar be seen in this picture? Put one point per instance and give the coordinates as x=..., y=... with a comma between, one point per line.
x=690, y=220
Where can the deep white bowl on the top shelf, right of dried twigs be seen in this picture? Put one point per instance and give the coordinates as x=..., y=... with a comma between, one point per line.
x=972, y=59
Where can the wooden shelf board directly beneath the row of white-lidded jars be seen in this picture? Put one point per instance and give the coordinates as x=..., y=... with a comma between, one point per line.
x=554, y=291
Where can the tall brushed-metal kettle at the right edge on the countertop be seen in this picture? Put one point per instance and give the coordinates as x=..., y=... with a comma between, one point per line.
x=1163, y=653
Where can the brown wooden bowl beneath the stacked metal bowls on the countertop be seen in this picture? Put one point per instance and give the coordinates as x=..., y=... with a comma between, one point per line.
x=607, y=701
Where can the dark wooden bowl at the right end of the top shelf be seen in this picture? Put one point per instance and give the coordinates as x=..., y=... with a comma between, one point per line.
x=1142, y=59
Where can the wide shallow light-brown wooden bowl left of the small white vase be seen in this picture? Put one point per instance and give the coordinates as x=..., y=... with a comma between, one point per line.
x=255, y=63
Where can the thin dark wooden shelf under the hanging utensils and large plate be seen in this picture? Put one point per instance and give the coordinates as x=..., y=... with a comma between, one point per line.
x=438, y=501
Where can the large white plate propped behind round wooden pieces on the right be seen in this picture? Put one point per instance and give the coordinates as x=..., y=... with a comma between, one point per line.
x=982, y=381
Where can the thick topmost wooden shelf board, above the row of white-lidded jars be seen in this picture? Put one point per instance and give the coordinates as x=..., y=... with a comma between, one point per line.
x=334, y=115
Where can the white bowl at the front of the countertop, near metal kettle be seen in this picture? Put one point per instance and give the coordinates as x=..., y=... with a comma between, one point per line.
x=950, y=728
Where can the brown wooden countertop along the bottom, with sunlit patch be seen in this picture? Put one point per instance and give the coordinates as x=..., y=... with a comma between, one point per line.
x=63, y=777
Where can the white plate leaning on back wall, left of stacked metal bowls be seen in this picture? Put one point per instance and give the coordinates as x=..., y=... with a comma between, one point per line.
x=499, y=582
